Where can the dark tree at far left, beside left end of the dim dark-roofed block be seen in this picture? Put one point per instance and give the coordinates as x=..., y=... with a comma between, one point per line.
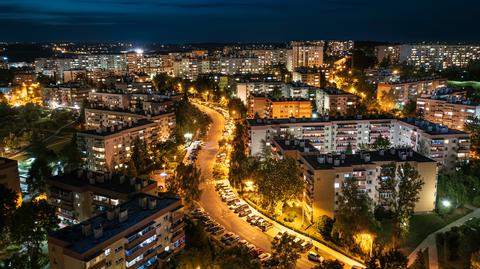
x=39, y=172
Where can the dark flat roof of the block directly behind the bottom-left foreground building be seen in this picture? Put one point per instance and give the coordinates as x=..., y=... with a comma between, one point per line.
x=110, y=182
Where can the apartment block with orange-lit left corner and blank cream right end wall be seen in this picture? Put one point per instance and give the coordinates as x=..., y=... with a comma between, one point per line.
x=325, y=174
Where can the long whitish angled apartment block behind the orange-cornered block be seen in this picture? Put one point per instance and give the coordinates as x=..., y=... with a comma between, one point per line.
x=444, y=145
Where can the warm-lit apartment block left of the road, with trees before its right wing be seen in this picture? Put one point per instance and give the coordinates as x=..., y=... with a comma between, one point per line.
x=109, y=149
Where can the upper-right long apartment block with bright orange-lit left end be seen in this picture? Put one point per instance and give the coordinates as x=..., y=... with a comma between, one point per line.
x=397, y=94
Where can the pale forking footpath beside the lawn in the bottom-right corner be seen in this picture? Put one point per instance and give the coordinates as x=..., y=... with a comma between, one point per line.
x=430, y=241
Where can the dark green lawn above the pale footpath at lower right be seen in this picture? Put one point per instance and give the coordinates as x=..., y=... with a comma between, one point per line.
x=421, y=225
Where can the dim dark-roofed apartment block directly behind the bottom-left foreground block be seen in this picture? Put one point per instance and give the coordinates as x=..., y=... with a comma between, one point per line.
x=79, y=195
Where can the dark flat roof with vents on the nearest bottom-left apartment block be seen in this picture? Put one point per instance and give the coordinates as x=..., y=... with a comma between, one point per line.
x=80, y=244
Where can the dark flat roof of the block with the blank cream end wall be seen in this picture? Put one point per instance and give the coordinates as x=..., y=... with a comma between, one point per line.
x=347, y=160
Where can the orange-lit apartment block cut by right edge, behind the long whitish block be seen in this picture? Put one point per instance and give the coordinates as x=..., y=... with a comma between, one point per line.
x=451, y=112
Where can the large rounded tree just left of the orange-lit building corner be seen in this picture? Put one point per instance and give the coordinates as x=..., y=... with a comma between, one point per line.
x=279, y=181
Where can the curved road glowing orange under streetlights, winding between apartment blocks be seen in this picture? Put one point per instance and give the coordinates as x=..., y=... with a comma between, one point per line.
x=211, y=202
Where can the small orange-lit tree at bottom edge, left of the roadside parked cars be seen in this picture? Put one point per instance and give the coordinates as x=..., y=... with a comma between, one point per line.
x=285, y=252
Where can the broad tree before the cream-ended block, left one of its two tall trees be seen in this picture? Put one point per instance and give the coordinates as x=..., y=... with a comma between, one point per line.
x=354, y=212
